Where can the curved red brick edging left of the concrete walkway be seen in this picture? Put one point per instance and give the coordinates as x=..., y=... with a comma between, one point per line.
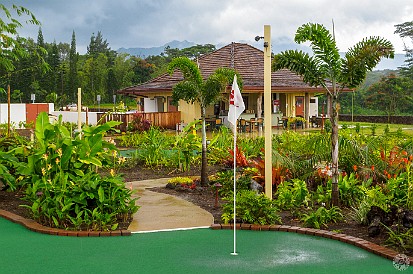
x=36, y=227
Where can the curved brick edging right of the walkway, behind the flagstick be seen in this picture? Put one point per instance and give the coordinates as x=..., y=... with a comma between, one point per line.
x=366, y=245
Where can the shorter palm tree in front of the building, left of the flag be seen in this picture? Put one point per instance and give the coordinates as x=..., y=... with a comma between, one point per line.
x=193, y=88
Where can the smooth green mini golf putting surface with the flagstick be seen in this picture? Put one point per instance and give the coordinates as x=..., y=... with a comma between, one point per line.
x=190, y=251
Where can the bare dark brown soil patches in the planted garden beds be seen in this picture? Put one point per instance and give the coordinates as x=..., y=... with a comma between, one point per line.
x=204, y=197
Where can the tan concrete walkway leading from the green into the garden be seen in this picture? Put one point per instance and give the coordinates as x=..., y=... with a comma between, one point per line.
x=160, y=211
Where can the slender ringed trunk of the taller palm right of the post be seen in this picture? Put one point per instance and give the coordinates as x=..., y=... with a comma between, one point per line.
x=334, y=150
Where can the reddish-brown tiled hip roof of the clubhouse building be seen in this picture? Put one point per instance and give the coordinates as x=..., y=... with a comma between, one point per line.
x=247, y=60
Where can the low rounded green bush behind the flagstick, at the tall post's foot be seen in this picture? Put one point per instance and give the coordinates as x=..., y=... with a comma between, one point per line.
x=251, y=208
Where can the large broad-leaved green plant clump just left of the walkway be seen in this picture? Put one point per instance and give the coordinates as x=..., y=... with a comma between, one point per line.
x=62, y=183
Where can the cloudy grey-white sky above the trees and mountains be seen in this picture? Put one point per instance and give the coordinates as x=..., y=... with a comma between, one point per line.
x=149, y=23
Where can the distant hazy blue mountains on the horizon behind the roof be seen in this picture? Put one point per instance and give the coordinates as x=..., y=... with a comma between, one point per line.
x=277, y=46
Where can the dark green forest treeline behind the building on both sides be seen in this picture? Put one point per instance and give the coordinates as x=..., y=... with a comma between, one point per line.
x=102, y=71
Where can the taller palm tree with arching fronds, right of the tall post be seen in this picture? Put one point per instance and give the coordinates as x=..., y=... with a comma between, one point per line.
x=327, y=69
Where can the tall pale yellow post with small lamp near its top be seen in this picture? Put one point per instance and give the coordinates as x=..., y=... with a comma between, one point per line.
x=267, y=111
